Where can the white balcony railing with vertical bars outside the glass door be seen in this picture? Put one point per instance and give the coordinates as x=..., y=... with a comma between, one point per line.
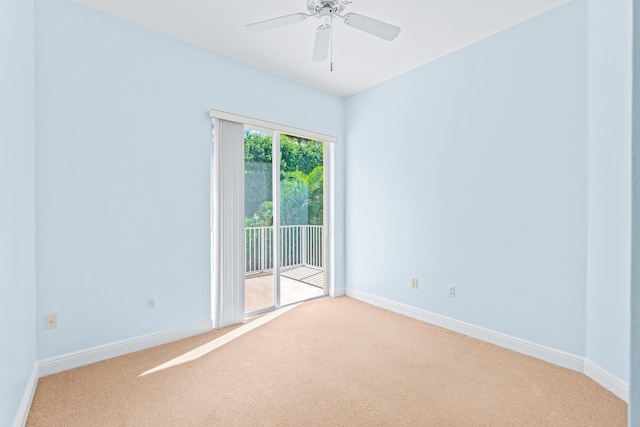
x=299, y=245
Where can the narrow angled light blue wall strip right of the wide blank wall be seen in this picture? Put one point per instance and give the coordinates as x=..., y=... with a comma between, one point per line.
x=609, y=256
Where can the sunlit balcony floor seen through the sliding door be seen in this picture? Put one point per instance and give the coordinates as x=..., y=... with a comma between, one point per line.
x=259, y=288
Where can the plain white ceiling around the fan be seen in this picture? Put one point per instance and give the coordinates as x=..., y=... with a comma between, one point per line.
x=430, y=30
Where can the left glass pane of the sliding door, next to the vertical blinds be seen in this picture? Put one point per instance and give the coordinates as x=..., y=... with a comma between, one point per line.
x=258, y=221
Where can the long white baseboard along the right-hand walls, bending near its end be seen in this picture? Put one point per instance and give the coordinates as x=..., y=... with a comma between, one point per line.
x=548, y=354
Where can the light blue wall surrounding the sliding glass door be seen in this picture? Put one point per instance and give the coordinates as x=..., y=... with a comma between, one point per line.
x=122, y=170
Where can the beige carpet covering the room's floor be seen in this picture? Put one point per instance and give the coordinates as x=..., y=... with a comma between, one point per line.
x=329, y=362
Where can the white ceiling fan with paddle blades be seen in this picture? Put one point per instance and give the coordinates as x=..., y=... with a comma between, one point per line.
x=325, y=10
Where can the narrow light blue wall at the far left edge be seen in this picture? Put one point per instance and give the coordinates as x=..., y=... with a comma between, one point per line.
x=17, y=241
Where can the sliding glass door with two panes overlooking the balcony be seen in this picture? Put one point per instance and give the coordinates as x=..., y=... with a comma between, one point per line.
x=285, y=222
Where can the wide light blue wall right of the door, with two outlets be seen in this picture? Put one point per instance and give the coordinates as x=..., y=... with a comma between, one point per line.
x=472, y=171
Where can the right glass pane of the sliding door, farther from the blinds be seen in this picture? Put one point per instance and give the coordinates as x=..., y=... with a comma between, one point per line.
x=301, y=219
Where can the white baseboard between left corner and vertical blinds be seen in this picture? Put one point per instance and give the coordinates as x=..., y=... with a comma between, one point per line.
x=96, y=354
